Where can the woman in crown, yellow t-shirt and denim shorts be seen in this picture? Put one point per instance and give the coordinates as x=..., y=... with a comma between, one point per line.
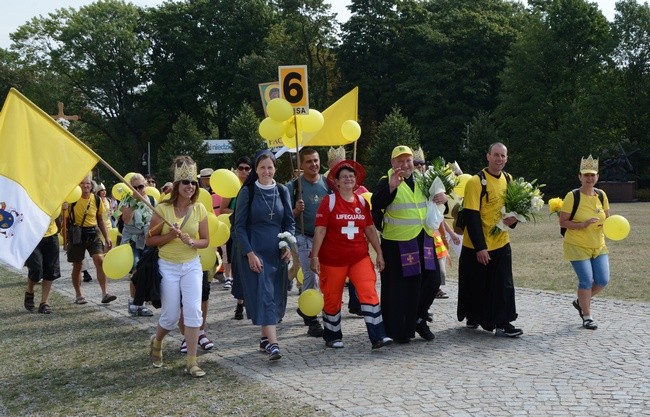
x=584, y=241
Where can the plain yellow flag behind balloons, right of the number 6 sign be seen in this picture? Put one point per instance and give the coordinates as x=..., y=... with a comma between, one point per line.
x=345, y=108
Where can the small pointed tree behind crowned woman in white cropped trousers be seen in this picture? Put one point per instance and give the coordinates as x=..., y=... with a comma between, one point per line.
x=184, y=139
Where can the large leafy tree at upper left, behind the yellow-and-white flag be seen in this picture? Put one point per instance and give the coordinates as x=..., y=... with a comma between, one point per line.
x=98, y=57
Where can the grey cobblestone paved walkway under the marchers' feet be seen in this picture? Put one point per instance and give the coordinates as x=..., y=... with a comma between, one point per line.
x=556, y=368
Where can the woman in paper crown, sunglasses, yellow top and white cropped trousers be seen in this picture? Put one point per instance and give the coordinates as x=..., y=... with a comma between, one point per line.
x=179, y=262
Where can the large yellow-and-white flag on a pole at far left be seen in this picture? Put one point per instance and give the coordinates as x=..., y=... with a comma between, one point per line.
x=40, y=163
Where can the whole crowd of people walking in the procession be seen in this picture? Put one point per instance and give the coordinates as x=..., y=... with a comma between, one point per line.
x=331, y=225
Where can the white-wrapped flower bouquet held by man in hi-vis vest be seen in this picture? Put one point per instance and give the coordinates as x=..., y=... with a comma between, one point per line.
x=439, y=177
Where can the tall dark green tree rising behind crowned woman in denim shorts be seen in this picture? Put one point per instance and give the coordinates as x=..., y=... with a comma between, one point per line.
x=547, y=84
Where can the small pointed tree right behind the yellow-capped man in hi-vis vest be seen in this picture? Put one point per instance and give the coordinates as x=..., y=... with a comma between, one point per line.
x=394, y=130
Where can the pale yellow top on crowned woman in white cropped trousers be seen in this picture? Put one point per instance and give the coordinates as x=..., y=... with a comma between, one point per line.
x=176, y=251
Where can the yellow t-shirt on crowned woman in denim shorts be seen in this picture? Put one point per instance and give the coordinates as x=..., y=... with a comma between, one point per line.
x=581, y=244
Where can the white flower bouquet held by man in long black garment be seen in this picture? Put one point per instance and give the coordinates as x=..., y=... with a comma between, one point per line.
x=522, y=200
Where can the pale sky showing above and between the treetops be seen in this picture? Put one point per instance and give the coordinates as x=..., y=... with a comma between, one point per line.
x=17, y=12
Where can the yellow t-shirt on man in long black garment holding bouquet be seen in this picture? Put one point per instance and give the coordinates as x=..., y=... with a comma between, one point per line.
x=490, y=208
